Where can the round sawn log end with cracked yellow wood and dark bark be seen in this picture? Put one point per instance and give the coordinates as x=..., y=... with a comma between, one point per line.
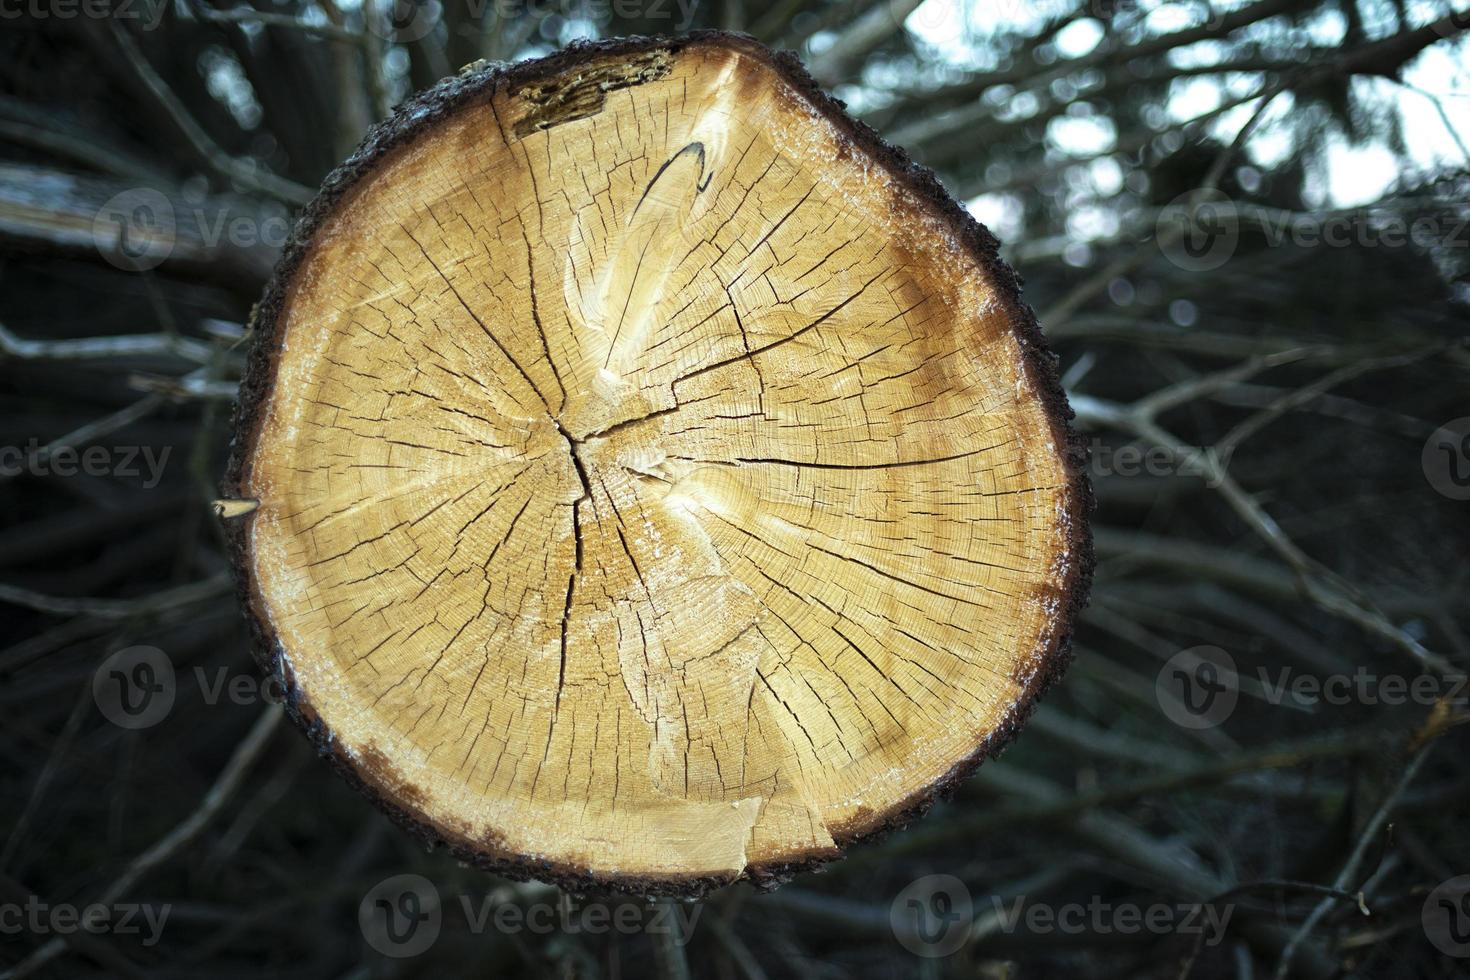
x=661, y=480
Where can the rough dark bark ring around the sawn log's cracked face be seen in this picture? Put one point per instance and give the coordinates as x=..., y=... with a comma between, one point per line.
x=478, y=83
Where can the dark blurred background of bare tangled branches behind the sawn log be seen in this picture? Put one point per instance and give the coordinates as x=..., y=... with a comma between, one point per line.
x=1212, y=206
